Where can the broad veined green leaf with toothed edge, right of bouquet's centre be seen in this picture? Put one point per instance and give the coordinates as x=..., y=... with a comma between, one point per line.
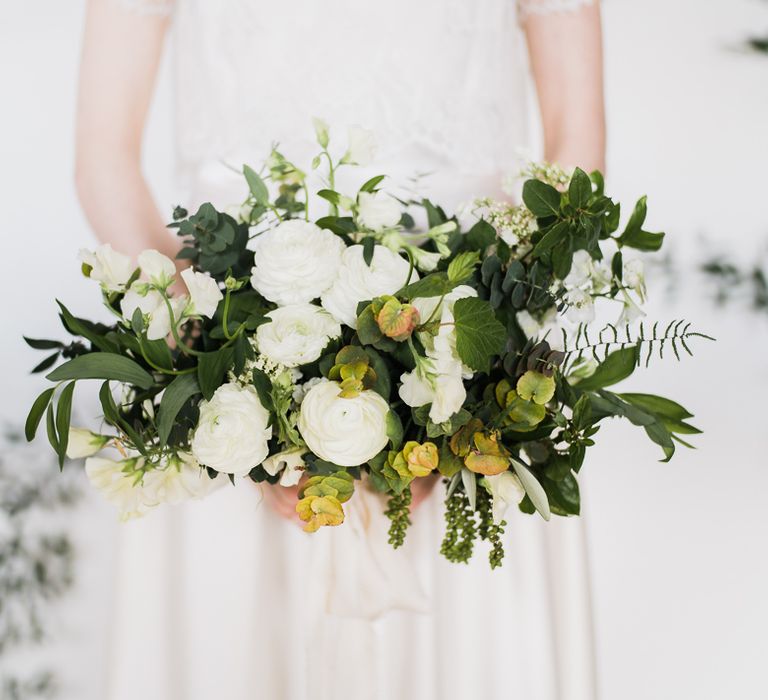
x=479, y=335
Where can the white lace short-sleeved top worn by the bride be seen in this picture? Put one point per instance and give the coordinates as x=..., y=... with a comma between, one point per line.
x=442, y=82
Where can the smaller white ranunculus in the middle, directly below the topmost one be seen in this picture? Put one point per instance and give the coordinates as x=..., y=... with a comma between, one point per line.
x=296, y=335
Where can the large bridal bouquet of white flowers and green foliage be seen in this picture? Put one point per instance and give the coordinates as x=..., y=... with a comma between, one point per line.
x=381, y=341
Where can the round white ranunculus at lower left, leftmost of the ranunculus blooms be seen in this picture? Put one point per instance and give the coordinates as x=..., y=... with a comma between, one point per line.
x=232, y=431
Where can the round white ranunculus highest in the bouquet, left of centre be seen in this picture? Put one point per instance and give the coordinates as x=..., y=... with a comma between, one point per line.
x=295, y=262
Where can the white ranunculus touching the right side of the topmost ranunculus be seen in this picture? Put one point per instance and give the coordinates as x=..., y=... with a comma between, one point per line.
x=358, y=282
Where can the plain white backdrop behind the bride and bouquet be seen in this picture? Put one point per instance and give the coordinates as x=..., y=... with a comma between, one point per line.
x=678, y=550
